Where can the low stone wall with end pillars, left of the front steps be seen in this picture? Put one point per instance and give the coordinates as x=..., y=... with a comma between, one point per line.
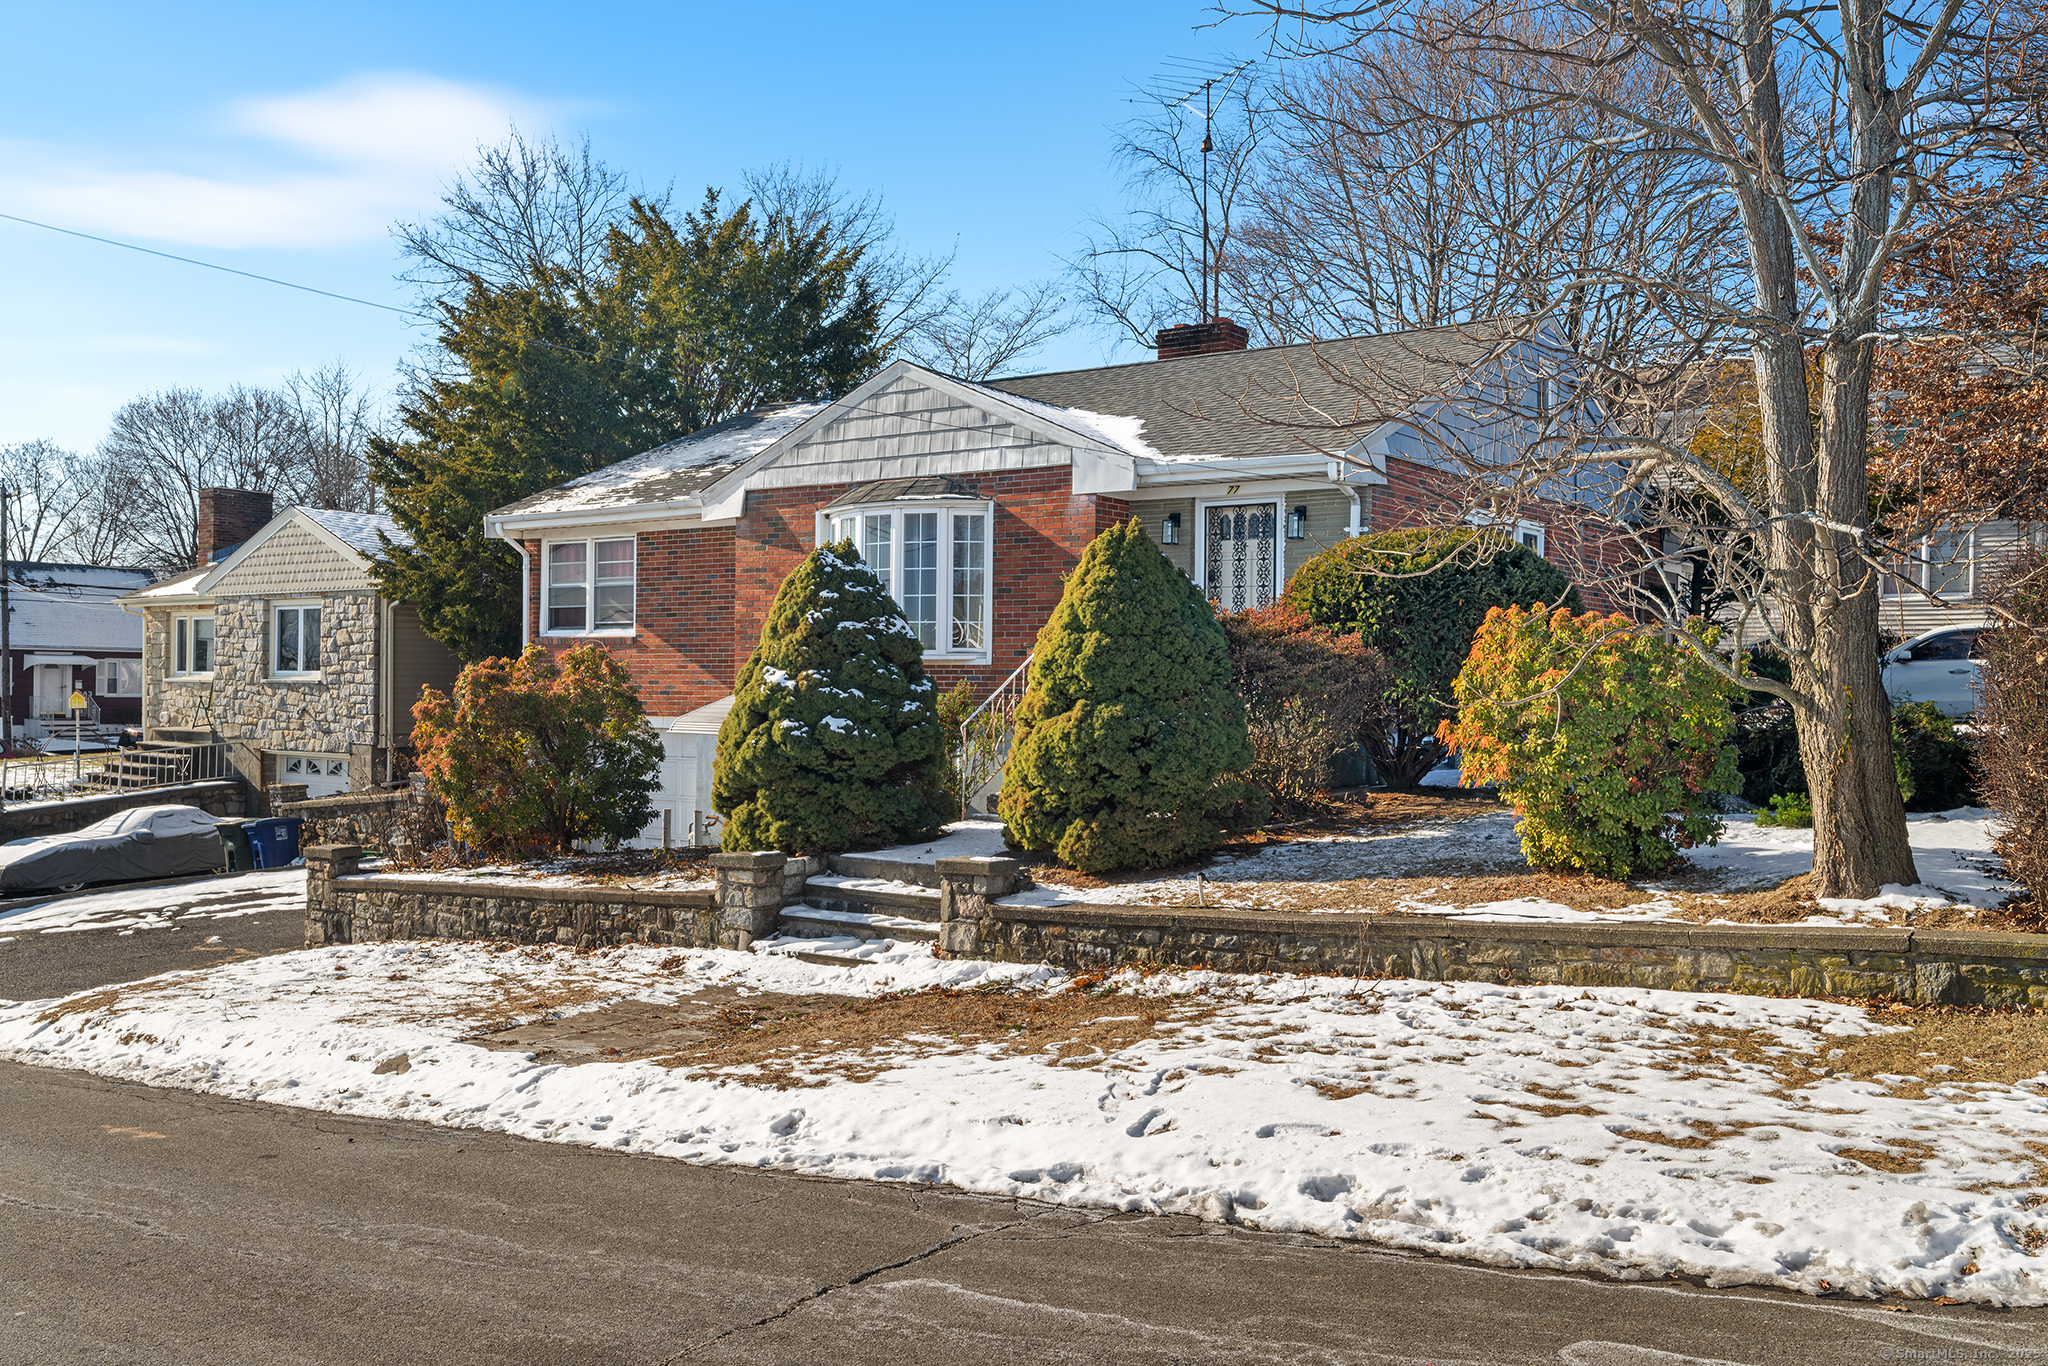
x=349, y=908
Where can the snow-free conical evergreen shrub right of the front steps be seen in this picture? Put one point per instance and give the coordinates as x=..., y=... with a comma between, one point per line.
x=1129, y=724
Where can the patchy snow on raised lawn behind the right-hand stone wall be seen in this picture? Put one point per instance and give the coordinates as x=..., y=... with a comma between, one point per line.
x=1953, y=853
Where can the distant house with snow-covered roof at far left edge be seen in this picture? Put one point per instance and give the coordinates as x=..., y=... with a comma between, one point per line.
x=69, y=634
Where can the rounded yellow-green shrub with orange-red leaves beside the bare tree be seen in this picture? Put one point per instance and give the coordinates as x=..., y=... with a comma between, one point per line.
x=1609, y=742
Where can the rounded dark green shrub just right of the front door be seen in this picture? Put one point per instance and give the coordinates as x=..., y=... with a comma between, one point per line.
x=1418, y=597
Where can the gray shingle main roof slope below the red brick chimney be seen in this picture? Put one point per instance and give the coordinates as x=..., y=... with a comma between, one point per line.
x=1310, y=394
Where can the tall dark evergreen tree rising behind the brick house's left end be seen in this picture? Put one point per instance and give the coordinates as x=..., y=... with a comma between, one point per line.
x=554, y=378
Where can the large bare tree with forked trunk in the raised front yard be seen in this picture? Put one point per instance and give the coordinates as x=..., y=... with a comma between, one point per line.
x=1832, y=134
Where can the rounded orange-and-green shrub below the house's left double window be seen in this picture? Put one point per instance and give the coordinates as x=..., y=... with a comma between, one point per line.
x=540, y=749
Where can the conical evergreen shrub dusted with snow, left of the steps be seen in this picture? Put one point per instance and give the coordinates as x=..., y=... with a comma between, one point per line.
x=833, y=742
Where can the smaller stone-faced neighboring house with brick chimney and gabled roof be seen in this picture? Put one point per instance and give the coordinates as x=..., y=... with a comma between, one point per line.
x=284, y=648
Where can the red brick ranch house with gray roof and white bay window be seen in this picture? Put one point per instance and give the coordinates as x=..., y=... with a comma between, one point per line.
x=976, y=499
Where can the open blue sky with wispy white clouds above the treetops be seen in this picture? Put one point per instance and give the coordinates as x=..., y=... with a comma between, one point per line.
x=284, y=140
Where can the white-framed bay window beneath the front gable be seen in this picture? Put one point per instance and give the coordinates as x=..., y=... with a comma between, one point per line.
x=933, y=560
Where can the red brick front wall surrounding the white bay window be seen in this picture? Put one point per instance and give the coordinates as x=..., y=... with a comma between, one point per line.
x=703, y=595
